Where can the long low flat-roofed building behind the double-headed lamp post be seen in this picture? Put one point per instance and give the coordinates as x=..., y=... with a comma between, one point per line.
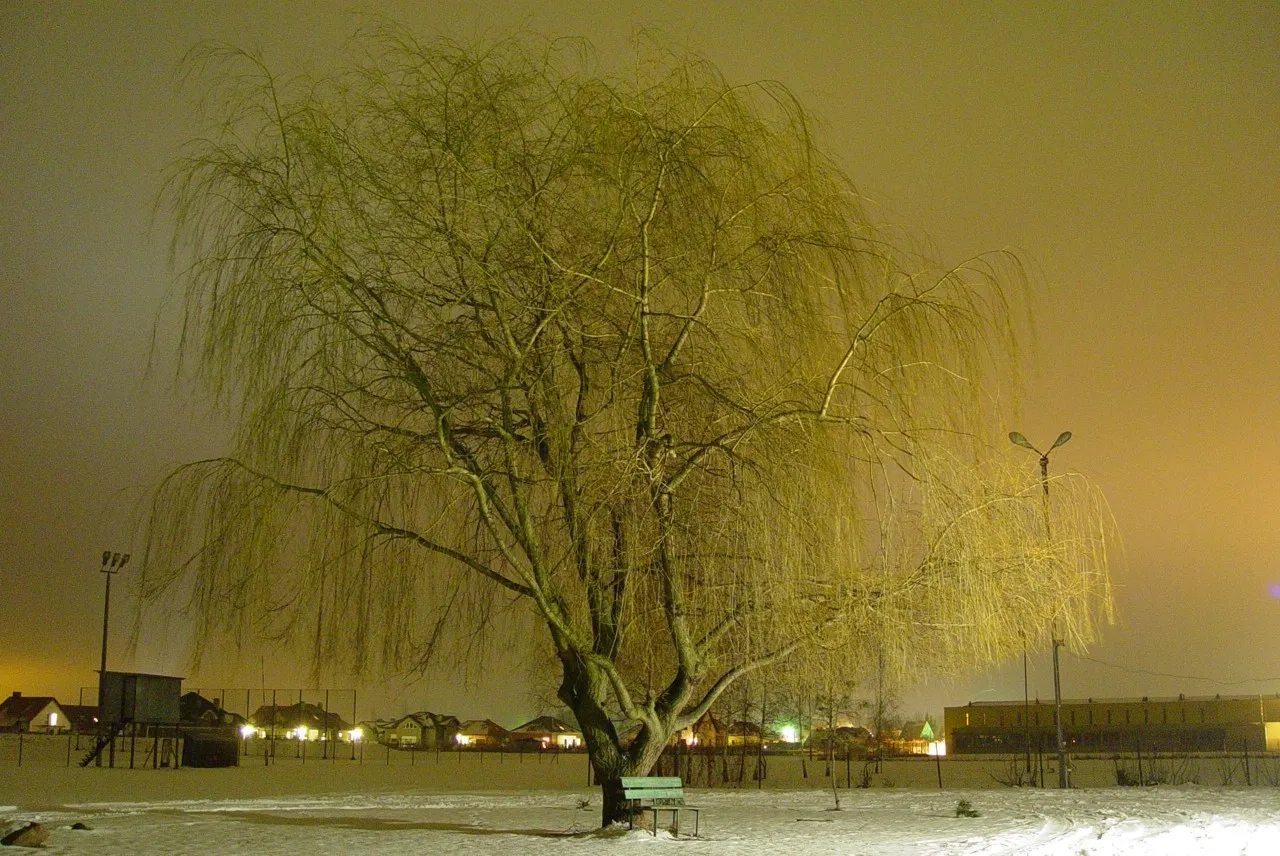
x=1176, y=725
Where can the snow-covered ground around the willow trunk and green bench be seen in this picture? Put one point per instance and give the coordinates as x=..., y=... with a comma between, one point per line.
x=386, y=812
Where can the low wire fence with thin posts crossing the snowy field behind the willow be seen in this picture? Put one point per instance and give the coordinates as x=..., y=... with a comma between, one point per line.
x=566, y=770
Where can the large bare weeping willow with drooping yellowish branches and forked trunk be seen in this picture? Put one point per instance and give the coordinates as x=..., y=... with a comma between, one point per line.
x=620, y=356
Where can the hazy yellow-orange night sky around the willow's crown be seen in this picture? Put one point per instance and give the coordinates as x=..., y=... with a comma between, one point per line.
x=1128, y=152
